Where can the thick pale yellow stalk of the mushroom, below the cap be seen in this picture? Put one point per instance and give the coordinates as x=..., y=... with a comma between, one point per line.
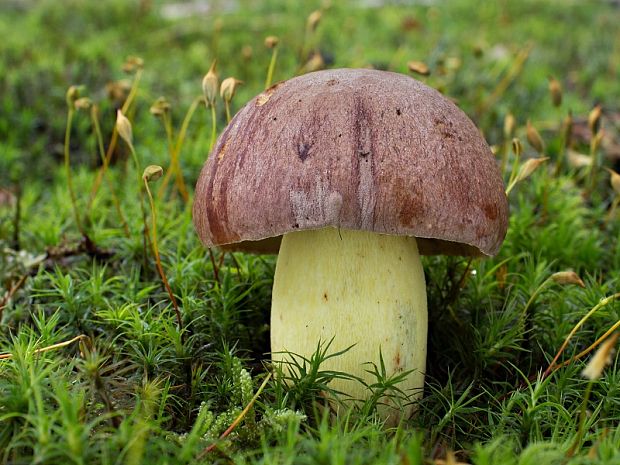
x=359, y=288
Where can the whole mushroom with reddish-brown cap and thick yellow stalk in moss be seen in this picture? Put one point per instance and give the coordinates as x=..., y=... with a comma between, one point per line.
x=356, y=172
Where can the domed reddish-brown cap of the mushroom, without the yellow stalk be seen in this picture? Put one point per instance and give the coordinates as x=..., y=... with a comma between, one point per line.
x=356, y=149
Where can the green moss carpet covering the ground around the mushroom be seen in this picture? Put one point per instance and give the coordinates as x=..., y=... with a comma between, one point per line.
x=136, y=389
